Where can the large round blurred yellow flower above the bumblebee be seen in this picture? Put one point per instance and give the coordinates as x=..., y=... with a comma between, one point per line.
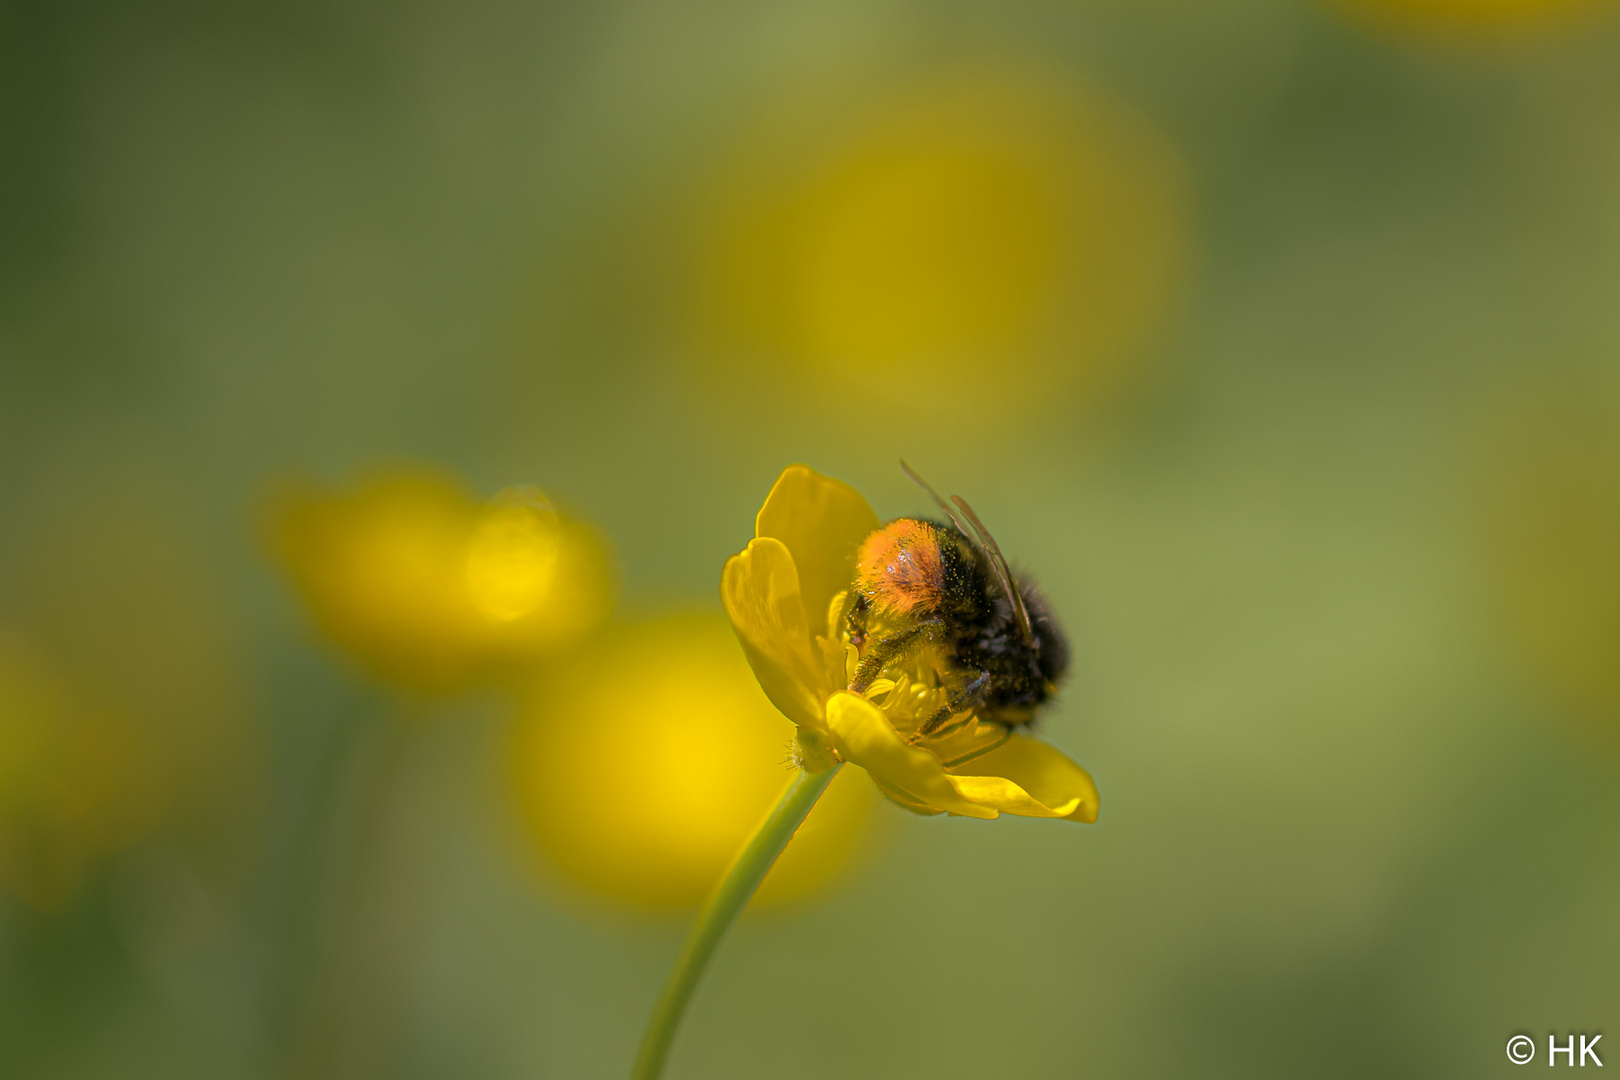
x=994, y=240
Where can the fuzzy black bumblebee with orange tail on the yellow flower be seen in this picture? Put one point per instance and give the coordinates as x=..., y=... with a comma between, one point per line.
x=923, y=582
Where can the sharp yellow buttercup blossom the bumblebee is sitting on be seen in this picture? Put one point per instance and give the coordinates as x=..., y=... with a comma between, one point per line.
x=787, y=597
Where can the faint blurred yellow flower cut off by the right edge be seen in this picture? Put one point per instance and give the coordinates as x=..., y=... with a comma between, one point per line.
x=1554, y=490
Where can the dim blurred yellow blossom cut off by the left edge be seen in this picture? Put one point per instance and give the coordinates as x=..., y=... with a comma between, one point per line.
x=117, y=702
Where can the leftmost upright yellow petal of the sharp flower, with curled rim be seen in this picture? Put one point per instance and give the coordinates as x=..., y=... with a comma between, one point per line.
x=761, y=592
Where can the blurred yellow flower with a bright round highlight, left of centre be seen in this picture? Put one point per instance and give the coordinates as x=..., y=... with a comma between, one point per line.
x=433, y=592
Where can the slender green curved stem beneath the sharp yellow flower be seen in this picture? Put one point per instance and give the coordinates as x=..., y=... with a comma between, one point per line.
x=722, y=911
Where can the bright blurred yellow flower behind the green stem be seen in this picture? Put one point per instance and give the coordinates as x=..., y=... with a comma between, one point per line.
x=646, y=765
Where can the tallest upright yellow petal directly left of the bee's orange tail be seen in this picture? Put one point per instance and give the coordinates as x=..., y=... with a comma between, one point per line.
x=822, y=522
